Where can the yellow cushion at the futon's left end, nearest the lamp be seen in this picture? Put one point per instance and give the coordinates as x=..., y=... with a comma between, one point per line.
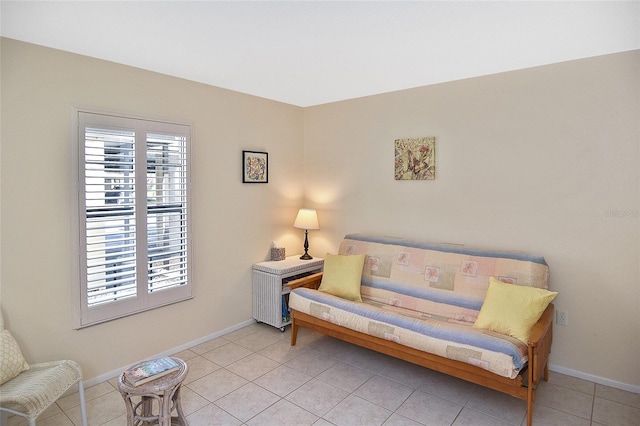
x=342, y=276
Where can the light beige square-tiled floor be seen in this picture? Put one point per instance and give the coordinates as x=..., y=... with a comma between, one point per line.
x=252, y=376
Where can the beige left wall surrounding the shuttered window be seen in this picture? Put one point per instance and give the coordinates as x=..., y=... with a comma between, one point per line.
x=234, y=223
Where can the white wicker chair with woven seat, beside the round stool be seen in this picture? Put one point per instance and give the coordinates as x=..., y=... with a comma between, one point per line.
x=34, y=390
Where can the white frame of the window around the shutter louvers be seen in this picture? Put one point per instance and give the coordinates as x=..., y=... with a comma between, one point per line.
x=144, y=299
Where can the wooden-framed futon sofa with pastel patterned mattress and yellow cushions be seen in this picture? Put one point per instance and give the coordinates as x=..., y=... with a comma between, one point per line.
x=480, y=315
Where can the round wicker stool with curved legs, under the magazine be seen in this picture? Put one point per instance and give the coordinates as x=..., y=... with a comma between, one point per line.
x=165, y=391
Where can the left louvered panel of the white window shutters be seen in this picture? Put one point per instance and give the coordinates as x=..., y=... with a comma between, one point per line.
x=110, y=228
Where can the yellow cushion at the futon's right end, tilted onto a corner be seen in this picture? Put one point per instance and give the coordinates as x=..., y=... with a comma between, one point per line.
x=512, y=309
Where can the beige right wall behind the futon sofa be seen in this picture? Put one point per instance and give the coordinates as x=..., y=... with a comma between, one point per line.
x=534, y=160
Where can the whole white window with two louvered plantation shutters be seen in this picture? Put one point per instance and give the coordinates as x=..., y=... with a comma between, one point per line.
x=132, y=223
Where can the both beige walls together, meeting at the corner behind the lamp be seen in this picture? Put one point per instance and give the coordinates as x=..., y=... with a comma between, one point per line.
x=543, y=160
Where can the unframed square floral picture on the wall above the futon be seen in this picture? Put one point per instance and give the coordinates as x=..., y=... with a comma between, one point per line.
x=415, y=158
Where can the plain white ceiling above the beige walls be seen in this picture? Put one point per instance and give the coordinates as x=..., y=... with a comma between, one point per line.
x=311, y=52
